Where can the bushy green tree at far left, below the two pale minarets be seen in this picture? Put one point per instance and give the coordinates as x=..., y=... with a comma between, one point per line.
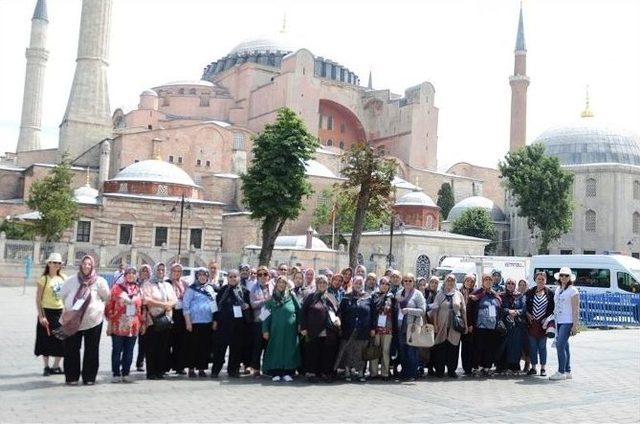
x=53, y=198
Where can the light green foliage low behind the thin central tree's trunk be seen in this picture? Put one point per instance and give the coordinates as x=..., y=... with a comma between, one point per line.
x=345, y=211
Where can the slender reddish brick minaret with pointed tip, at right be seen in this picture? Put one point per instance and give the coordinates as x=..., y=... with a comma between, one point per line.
x=519, y=82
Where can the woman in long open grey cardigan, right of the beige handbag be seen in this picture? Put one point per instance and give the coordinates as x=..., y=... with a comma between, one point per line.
x=450, y=321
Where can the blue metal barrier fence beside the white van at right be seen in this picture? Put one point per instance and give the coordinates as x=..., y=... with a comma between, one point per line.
x=609, y=309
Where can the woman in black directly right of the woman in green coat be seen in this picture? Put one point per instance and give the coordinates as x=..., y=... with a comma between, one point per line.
x=319, y=326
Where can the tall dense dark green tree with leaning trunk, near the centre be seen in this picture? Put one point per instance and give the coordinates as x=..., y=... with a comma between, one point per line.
x=276, y=181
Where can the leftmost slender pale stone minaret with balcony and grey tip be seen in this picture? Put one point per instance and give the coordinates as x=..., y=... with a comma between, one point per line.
x=37, y=54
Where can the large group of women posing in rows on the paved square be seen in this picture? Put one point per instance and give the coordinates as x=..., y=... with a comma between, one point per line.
x=284, y=323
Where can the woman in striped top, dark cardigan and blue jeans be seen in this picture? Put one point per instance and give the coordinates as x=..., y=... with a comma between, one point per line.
x=539, y=303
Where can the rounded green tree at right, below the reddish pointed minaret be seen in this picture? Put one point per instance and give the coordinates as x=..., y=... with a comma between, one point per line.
x=541, y=190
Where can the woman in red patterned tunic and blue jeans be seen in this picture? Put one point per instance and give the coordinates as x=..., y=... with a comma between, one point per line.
x=124, y=313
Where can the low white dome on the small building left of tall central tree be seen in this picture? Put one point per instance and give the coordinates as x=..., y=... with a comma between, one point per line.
x=156, y=171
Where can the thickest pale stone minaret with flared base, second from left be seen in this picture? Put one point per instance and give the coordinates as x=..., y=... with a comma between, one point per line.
x=87, y=120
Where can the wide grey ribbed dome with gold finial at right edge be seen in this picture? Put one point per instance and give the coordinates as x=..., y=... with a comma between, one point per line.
x=589, y=142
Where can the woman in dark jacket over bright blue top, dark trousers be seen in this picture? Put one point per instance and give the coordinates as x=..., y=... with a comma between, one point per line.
x=485, y=308
